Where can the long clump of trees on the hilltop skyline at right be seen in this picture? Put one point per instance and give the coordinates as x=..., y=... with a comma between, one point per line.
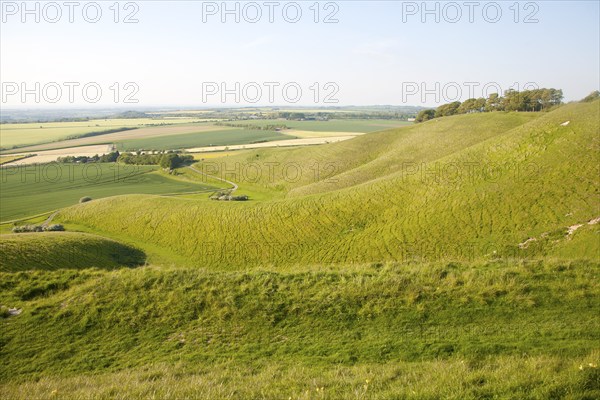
x=513, y=100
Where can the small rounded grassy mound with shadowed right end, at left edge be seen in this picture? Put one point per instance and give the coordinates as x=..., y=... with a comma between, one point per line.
x=64, y=250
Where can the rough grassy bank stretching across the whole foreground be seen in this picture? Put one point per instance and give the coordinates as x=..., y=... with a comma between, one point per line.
x=364, y=318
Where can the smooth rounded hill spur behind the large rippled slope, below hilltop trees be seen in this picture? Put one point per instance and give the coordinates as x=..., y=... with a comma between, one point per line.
x=365, y=158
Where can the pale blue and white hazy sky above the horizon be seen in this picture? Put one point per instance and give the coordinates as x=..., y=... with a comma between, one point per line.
x=337, y=53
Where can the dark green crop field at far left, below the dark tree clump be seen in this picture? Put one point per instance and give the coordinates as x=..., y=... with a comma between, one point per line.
x=31, y=190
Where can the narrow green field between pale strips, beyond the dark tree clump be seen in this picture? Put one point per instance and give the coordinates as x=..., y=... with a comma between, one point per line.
x=202, y=139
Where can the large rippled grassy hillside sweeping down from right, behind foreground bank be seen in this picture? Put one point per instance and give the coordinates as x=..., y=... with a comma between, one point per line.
x=531, y=181
